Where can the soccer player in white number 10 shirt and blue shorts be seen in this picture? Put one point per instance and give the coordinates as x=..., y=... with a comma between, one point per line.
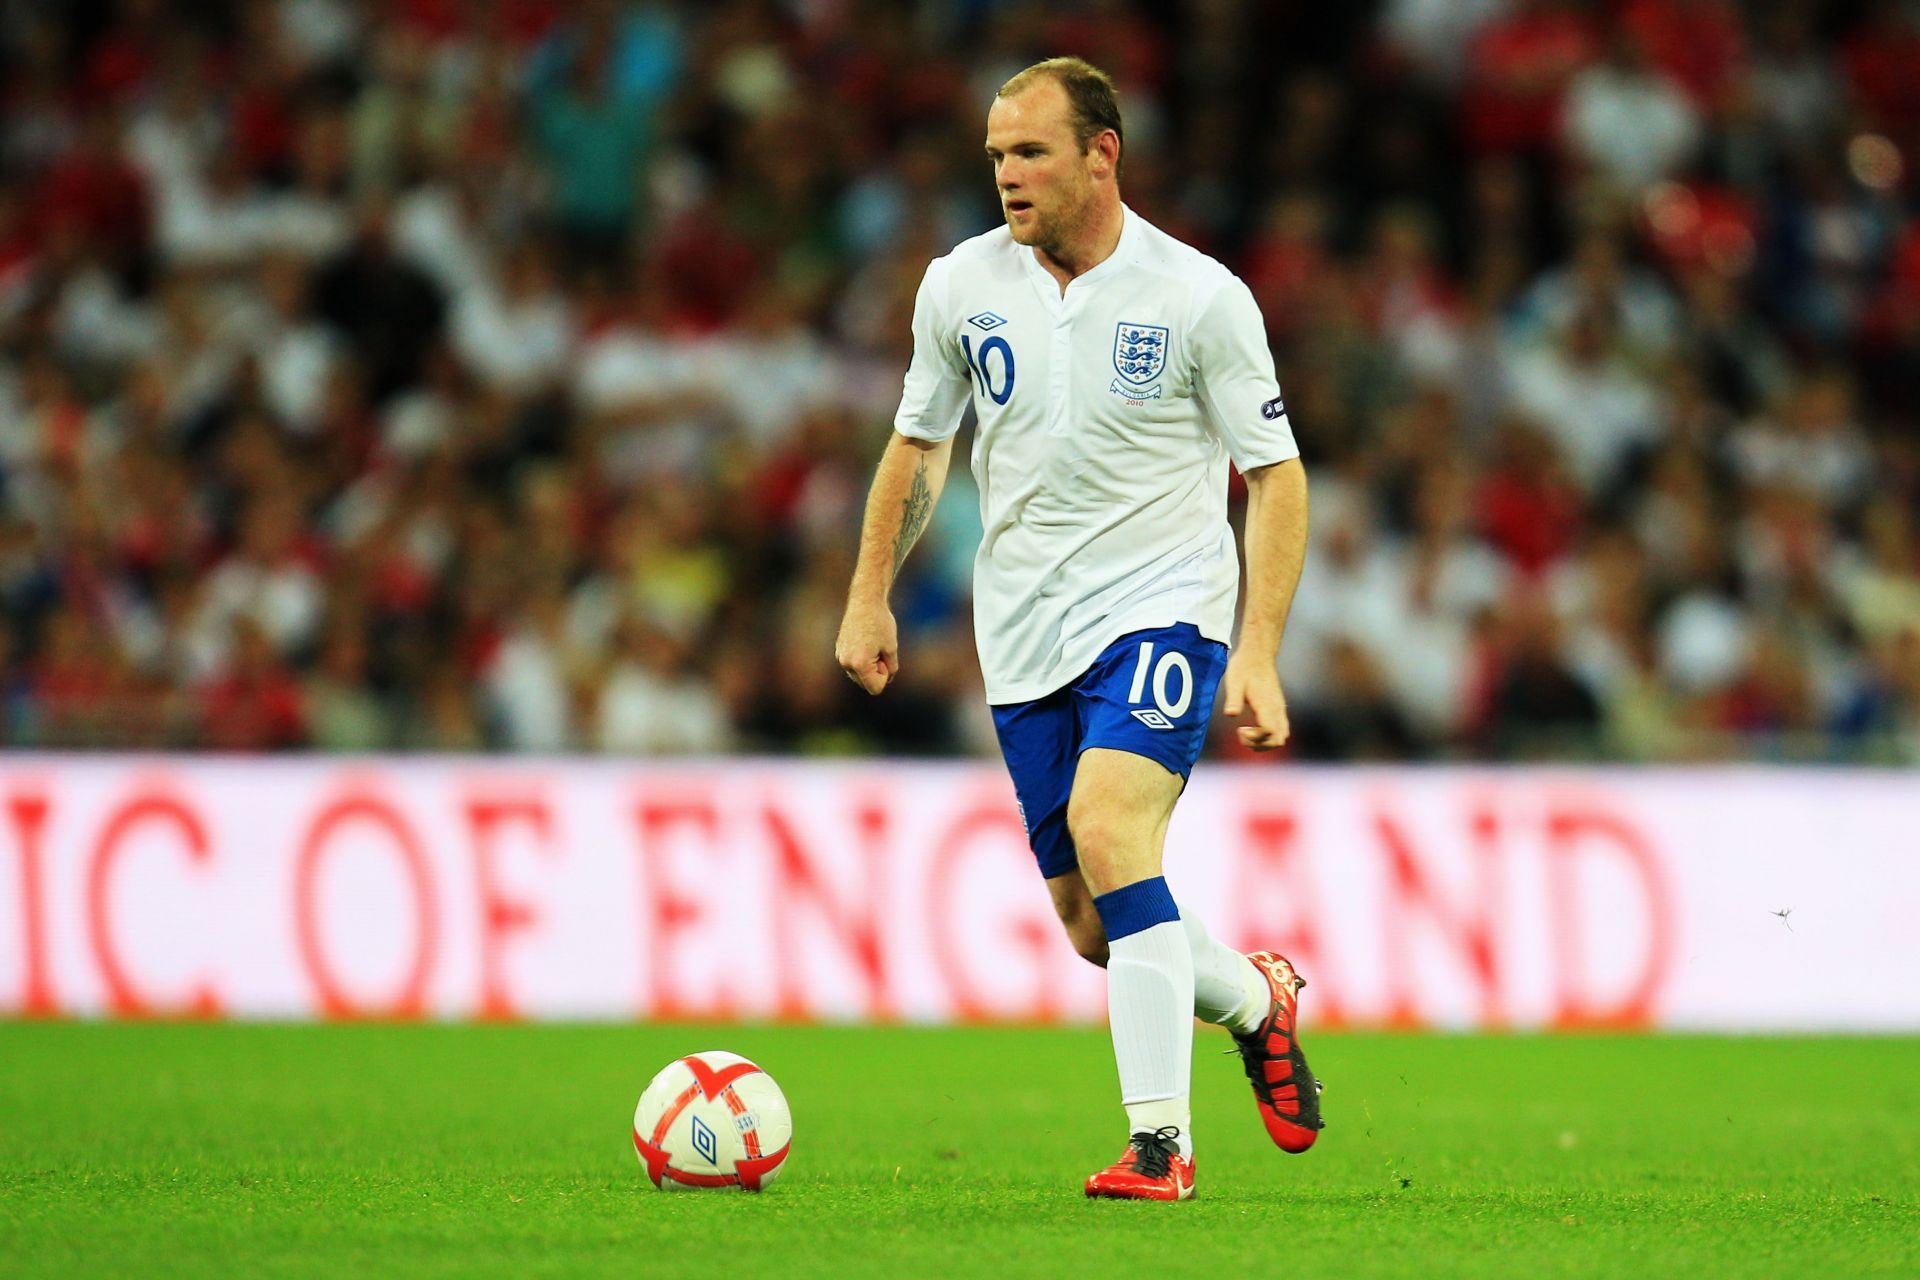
x=1113, y=371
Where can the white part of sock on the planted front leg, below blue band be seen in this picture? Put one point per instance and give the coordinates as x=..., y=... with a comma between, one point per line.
x=1149, y=1005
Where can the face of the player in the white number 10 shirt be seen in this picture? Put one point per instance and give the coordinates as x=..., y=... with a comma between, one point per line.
x=1044, y=176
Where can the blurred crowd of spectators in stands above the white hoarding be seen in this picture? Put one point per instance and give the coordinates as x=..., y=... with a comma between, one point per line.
x=506, y=375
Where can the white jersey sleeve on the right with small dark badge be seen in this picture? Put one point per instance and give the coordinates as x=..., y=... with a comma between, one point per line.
x=1234, y=373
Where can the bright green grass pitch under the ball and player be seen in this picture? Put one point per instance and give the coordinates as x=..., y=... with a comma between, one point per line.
x=210, y=1150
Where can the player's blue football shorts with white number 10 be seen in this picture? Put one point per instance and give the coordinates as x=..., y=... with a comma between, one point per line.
x=1149, y=694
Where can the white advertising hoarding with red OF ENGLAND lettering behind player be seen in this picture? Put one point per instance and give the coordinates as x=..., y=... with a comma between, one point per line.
x=166, y=888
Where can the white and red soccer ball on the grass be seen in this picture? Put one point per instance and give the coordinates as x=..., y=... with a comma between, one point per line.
x=713, y=1120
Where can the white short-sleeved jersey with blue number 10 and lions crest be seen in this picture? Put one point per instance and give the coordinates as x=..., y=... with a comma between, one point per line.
x=1107, y=419
